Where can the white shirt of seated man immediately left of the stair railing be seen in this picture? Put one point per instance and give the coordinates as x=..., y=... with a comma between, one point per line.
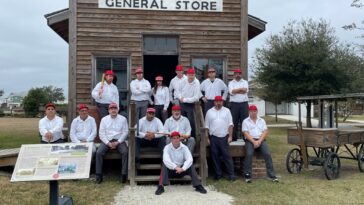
x=113, y=128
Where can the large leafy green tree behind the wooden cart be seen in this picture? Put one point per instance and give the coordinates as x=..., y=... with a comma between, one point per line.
x=302, y=60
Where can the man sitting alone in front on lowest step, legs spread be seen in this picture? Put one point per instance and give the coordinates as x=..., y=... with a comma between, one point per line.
x=178, y=162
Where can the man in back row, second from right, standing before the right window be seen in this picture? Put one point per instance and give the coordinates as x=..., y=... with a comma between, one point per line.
x=212, y=87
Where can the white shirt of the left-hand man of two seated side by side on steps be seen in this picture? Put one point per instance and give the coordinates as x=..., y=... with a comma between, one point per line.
x=150, y=126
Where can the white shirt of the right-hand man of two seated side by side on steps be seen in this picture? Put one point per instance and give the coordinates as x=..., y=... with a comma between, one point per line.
x=182, y=125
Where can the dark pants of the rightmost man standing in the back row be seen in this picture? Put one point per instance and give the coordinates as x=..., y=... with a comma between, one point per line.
x=239, y=112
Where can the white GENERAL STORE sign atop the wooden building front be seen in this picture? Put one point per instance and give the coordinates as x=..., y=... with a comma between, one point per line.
x=167, y=5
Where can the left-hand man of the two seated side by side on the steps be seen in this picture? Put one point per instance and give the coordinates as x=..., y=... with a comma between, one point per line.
x=150, y=134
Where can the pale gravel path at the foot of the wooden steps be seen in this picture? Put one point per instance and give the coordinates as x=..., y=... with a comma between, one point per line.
x=176, y=195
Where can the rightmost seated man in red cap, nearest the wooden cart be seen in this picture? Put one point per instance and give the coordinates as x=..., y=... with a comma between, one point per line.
x=255, y=131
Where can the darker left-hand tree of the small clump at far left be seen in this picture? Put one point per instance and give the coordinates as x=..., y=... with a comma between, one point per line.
x=31, y=103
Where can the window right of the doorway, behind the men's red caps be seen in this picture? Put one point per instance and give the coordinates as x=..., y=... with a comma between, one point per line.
x=202, y=64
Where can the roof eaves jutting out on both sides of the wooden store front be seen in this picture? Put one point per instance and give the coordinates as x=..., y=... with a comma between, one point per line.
x=58, y=21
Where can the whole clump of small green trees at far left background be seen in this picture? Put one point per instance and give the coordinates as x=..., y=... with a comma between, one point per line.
x=39, y=97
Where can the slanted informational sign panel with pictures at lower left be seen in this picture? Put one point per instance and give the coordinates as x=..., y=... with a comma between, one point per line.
x=53, y=162
